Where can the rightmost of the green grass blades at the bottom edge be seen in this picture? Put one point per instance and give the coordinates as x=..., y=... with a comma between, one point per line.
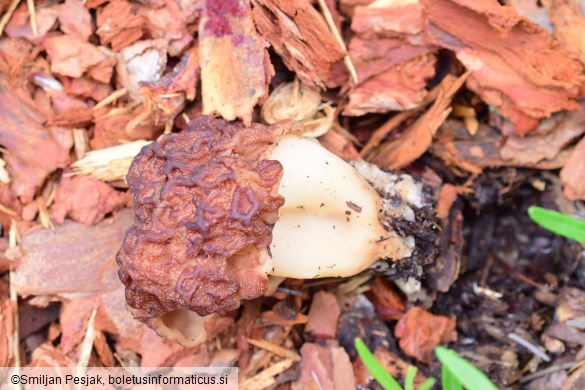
x=464, y=372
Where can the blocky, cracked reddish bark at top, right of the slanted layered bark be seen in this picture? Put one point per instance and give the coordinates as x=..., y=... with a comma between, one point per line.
x=391, y=58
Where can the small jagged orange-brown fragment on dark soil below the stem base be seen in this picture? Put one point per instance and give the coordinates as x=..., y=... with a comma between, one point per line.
x=420, y=332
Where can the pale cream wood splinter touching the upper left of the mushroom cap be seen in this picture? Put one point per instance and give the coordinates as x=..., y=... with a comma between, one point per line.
x=108, y=164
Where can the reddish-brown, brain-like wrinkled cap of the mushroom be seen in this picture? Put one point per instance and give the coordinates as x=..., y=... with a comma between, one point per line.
x=205, y=203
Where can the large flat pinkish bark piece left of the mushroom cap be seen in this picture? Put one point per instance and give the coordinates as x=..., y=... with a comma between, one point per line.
x=71, y=262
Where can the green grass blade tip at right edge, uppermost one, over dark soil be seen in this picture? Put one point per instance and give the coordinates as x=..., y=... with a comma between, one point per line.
x=558, y=223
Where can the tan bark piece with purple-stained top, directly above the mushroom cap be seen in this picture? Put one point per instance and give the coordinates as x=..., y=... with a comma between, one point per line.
x=235, y=66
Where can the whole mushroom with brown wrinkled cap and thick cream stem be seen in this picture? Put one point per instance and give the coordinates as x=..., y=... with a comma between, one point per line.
x=220, y=209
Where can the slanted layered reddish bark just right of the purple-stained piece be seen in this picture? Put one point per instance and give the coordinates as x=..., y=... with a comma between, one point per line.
x=300, y=35
